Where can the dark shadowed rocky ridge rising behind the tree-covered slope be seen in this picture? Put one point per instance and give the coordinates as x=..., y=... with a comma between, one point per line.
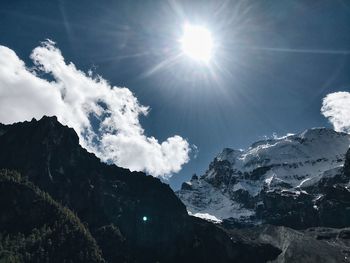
x=113, y=201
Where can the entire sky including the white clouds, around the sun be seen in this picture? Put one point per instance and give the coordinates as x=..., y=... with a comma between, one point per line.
x=113, y=71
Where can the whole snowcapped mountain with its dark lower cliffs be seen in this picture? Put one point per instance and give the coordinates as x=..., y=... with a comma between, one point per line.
x=284, y=180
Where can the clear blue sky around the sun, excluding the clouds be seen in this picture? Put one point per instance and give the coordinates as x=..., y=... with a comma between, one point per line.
x=275, y=63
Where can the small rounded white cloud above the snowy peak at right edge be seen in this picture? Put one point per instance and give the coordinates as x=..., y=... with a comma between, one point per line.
x=336, y=107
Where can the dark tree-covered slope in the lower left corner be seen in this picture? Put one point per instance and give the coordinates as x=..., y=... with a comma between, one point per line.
x=35, y=228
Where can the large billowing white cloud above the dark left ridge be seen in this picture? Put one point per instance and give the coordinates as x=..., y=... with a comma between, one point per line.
x=77, y=98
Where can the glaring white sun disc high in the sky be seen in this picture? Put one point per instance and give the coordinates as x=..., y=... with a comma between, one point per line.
x=197, y=42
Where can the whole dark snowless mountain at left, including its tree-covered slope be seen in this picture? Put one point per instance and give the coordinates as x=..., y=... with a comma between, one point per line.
x=132, y=217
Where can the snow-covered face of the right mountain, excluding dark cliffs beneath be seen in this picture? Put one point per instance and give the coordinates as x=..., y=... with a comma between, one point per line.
x=237, y=180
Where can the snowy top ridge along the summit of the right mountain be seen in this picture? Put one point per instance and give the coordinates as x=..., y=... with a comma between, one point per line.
x=316, y=143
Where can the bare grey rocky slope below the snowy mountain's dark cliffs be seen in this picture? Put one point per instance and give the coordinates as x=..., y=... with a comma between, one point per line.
x=326, y=245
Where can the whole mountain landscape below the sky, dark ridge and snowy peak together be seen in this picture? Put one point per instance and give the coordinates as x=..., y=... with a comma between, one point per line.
x=278, y=201
